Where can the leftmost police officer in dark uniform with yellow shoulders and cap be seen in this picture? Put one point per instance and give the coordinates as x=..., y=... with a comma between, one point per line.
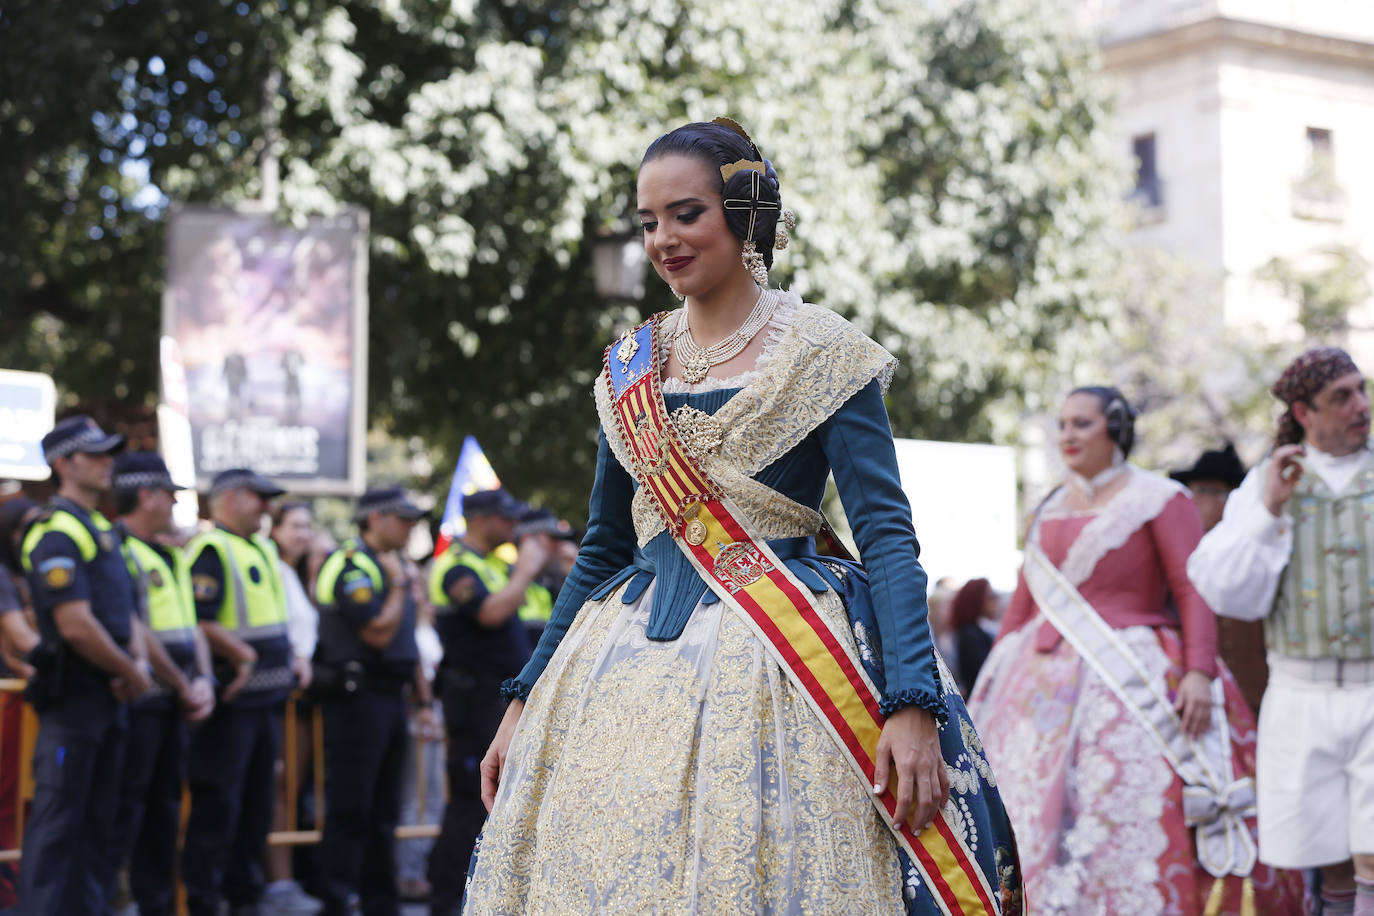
x=86, y=668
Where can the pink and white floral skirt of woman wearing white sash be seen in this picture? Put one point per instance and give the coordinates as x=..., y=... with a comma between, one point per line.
x=1099, y=812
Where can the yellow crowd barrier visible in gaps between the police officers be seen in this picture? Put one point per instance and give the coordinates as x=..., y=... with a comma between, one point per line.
x=12, y=690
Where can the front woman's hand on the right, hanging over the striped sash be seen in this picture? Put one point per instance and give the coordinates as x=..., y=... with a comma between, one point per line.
x=910, y=749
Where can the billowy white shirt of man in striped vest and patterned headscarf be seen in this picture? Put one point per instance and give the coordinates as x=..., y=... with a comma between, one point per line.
x=1239, y=565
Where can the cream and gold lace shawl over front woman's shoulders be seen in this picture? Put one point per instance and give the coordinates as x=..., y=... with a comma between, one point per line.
x=815, y=363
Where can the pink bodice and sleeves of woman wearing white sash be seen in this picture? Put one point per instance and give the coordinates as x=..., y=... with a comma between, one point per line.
x=1131, y=586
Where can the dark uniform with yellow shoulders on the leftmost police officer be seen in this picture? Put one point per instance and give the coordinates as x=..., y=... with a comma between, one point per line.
x=79, y=755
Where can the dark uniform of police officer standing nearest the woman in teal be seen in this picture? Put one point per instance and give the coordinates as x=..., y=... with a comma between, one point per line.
x=476, y=661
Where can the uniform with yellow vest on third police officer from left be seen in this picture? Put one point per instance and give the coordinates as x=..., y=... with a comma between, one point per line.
x=233, y=763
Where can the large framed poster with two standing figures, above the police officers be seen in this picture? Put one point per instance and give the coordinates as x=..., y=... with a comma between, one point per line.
x=271, y=325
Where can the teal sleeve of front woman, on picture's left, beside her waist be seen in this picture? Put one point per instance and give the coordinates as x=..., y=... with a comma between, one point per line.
x=608, y=549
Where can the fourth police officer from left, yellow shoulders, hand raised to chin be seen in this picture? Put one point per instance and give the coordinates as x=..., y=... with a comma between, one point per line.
x=365, y=660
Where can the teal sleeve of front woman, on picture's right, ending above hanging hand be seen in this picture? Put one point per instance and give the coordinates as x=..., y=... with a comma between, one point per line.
x=858, y=444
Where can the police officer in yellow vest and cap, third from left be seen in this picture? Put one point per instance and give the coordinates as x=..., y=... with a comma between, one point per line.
x=241, y=606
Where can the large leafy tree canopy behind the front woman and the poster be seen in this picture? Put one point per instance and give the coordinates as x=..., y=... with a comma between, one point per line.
x=947, y=163
